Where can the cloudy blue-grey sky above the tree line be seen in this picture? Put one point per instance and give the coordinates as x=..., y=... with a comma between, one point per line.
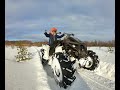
x=88, y=19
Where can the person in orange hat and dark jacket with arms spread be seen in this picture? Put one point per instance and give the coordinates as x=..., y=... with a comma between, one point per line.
x=52, y=39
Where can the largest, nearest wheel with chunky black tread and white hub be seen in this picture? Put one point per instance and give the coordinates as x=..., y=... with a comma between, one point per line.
x=63, y=70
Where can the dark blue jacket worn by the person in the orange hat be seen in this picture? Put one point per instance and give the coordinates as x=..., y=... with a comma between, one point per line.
x=52, y=38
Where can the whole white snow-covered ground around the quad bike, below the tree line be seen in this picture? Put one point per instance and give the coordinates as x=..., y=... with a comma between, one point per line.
x=31, y=75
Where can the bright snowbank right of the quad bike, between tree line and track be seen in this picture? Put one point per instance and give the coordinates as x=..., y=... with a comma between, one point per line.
x=106, y=66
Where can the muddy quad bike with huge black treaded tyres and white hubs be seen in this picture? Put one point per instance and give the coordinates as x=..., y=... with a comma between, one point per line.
x=67, y=55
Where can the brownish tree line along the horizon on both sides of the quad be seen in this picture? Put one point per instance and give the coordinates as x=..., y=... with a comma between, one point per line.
x=88, y=43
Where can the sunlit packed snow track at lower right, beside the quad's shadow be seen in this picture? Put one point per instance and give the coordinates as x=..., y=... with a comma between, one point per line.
x=100, y=83
